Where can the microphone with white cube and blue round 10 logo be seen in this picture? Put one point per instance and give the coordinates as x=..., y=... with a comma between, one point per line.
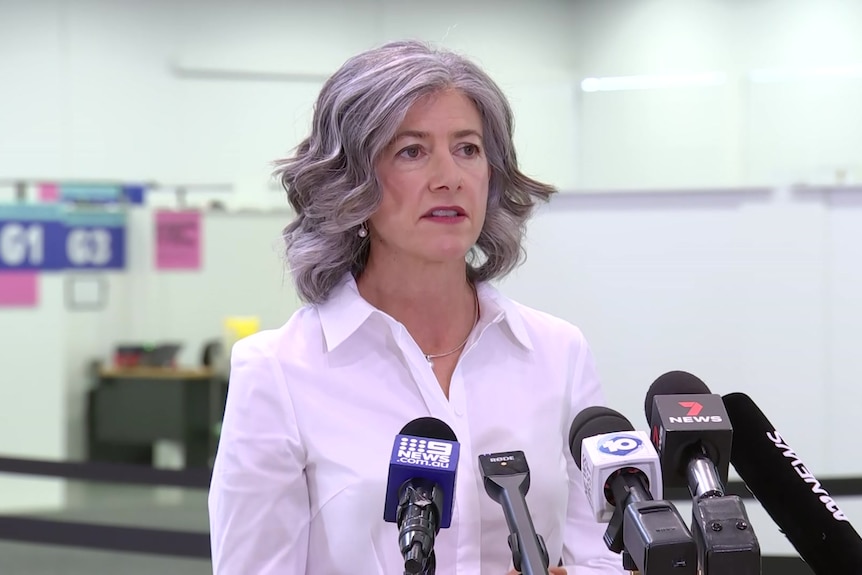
x=621, y=474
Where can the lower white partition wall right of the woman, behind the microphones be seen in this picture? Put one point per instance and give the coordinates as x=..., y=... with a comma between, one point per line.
x=695, y=282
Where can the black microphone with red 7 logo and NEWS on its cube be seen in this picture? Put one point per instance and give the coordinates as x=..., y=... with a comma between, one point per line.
x=693, y=435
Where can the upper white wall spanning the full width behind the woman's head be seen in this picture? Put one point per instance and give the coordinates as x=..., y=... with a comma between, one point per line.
x=213, y=92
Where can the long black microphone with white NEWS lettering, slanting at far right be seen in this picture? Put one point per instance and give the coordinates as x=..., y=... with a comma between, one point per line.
x=789, y=492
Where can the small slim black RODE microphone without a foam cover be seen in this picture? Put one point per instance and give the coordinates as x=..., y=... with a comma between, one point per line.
x=507, y=480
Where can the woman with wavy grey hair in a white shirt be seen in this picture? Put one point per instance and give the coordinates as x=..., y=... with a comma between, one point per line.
x=408, y=201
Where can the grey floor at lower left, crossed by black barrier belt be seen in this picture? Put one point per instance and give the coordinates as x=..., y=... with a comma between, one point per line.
x=159, y=508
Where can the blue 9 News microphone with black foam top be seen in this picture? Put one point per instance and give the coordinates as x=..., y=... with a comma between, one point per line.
x=420, y=490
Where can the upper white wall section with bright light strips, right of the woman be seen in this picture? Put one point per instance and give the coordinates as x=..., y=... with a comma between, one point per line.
x=739, y=133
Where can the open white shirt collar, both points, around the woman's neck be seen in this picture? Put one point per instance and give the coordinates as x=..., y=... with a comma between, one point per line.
x=344, y=312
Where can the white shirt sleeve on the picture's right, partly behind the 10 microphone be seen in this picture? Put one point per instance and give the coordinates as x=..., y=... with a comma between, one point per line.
x=584, y=550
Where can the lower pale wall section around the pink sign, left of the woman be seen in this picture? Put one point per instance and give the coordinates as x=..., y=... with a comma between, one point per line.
x=242, y=275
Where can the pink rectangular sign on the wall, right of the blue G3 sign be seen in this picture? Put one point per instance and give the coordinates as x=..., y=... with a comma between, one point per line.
x=178, y=240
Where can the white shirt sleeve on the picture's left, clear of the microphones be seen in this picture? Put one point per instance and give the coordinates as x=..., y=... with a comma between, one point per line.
x=258, y=498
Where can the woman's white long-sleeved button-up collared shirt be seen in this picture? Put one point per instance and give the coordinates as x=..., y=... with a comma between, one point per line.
x=313, y=408
